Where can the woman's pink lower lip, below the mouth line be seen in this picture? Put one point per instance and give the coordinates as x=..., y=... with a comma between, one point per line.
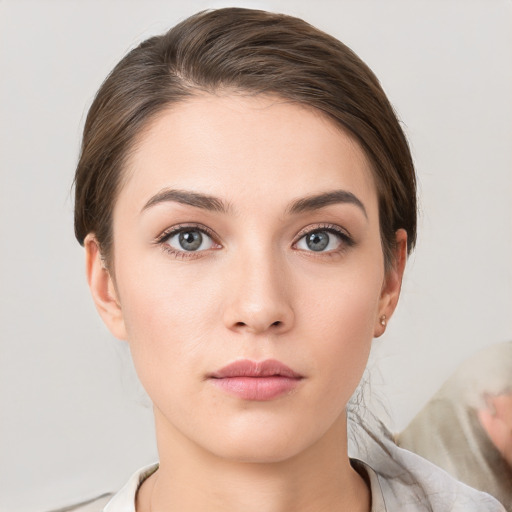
x=257, y=388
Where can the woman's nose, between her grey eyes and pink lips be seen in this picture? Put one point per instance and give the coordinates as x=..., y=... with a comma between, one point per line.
x=258, y=296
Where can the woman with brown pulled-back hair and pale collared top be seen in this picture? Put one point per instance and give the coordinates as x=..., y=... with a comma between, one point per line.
x=246, y=199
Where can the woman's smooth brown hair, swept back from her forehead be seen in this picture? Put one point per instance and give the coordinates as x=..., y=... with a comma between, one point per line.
x=251, y=51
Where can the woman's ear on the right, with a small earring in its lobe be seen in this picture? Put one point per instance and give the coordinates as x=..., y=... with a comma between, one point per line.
x=392, y=285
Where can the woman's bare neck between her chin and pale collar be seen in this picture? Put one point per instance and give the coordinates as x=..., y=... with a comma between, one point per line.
x=192, y=479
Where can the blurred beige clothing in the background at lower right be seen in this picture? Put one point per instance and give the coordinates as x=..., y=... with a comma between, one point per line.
x=447, y=430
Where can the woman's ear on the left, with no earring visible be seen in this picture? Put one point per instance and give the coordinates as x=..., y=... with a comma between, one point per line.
x=102, y=288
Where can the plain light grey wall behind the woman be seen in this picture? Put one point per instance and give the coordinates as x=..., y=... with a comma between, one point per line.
x=73, y=421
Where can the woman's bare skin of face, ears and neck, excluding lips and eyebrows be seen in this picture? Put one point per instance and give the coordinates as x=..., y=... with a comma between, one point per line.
x=257, y=291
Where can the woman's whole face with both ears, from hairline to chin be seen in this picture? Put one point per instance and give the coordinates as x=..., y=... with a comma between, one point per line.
x=246, y=231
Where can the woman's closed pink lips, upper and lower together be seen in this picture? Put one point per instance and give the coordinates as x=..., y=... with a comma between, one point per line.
x=251, y=380
